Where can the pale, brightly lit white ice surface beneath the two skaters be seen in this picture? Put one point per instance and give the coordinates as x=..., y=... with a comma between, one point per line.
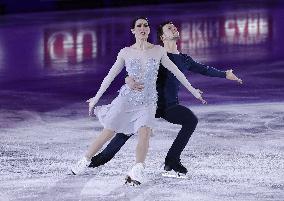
x=236, y=153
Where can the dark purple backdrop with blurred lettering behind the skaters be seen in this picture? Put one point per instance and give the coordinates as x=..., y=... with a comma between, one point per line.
x=51, y=59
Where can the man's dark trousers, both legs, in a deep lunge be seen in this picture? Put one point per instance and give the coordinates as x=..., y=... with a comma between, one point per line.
x=176, y=114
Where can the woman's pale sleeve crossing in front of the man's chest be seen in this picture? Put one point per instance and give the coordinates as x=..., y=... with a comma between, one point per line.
x=167, y=63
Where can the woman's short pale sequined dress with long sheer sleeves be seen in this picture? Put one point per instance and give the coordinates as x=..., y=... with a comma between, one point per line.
x=132, y=109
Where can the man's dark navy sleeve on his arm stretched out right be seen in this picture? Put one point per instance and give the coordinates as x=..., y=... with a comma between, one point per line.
x=203, y=69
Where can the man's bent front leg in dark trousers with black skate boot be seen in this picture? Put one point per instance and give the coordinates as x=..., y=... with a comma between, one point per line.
x=183, y=116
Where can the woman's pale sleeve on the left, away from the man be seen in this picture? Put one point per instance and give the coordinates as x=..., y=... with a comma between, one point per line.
x=113, y=72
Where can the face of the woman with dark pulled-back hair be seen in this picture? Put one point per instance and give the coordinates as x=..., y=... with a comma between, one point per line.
x=141, y=29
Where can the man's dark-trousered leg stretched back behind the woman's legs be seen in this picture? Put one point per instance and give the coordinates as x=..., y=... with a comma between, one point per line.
x=109, y=152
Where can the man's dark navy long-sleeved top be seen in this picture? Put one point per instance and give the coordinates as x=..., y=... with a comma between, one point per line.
x=168, y=85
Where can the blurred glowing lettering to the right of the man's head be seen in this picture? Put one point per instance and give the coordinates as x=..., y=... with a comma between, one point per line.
x=239, y=29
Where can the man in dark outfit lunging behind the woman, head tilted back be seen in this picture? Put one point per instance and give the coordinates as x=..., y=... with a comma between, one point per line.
x=168, y=106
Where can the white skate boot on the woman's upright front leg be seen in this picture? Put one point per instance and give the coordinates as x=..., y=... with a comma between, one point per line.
x=136, y=175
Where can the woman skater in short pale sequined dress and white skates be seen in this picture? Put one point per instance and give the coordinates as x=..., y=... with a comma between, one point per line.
x=133, y=111
